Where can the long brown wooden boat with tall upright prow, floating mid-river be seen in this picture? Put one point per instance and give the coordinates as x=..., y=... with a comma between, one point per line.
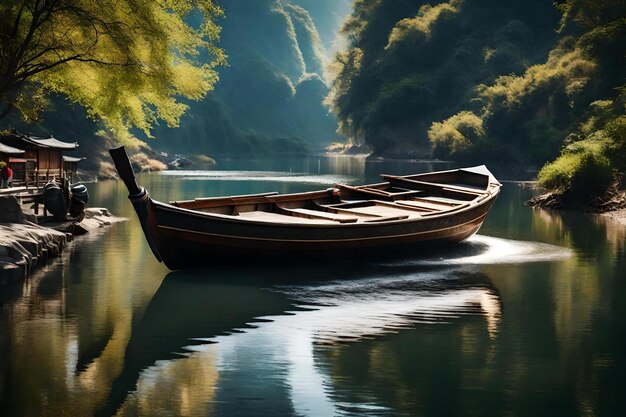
x=403, y=214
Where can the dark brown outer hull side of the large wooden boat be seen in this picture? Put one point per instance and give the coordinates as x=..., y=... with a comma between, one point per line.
x=184, y=237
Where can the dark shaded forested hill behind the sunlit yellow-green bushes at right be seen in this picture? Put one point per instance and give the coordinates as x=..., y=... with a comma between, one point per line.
x=409, y=64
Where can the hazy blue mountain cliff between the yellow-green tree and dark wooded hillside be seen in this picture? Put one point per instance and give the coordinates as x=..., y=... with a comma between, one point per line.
x=270, y=97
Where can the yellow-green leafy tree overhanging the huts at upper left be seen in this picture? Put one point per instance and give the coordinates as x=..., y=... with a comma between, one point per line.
x=128, y=62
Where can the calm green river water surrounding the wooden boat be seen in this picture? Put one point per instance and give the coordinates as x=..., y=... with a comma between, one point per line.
x=528, y=318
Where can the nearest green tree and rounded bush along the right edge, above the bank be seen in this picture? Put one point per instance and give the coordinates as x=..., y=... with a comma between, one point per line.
x=596, y=151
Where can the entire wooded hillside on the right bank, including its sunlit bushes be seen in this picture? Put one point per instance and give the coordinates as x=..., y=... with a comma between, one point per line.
x=509, y=83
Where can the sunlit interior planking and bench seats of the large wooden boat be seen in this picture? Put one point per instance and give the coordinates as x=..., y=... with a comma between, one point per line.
x=386, y=202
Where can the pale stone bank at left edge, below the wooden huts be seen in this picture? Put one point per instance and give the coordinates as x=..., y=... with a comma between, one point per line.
x=25, y=244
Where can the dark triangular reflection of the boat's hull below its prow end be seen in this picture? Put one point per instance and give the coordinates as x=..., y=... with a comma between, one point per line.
x=188, y=306
